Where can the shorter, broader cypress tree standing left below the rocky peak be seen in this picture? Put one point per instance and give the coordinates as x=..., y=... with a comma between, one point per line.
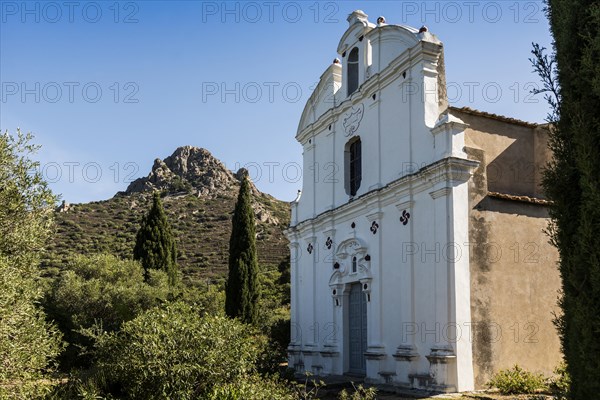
x=154, y=244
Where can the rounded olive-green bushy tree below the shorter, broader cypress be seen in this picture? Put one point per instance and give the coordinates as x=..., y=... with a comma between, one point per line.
x=104, y=290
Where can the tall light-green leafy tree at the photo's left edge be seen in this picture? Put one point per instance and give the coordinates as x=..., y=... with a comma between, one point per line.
x=28, y=344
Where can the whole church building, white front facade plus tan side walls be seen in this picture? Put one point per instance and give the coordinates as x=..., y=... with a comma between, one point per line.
x=394, y=240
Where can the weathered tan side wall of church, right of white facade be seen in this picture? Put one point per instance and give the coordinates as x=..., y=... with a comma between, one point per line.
x=514, y=275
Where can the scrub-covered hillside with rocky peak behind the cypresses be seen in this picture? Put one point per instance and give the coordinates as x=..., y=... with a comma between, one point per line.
x=199, y=195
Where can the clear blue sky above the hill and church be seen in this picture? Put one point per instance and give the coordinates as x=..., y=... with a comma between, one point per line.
x=107, y=87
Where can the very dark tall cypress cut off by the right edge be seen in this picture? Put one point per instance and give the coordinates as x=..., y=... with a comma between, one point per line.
x=572, y=182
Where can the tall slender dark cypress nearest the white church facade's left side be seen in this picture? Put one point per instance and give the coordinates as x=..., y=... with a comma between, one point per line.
x=241, y=290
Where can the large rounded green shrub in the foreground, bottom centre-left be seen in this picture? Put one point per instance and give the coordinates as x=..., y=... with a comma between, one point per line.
x=173, y=352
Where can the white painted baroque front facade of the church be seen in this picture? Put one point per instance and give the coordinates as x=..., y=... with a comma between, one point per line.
x=398, y=230
